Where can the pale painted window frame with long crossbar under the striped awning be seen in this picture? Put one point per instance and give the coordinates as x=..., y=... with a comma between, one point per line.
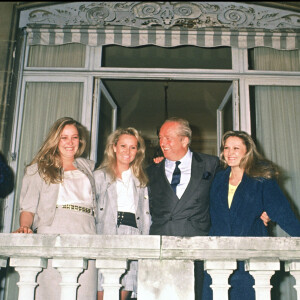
x=93, y=69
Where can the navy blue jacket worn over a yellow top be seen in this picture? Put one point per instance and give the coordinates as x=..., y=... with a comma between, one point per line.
x=252, y=197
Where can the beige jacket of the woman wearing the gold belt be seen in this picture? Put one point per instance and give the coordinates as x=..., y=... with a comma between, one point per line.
x=40, y=198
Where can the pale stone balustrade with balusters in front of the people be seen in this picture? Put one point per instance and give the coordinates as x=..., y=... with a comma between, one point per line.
x=166, y=264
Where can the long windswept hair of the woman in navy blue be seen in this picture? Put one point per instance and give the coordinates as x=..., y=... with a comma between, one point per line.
x=254, y=164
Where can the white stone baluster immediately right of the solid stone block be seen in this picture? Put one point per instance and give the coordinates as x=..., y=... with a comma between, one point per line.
x=219, y=270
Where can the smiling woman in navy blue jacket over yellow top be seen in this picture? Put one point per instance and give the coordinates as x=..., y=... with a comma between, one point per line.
x=239, y=194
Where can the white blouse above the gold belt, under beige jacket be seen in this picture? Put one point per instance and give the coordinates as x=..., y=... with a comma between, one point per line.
x=75, y=189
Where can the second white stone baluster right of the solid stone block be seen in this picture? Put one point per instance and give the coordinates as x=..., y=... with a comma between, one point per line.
x=262, y=271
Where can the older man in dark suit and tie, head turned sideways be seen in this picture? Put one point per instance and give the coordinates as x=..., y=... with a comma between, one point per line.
x=179, y=185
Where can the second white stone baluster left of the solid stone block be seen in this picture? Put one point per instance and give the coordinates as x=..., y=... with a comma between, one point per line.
x=69, y=270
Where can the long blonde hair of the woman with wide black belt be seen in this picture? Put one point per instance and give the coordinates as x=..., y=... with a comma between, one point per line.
x=110, y=161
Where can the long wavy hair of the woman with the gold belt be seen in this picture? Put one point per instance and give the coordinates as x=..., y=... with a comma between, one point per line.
x=48, y=157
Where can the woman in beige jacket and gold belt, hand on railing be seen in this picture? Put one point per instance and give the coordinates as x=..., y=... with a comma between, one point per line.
x=58, y=197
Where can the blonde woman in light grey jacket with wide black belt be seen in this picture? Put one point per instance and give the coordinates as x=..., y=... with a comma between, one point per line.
x=122, y=198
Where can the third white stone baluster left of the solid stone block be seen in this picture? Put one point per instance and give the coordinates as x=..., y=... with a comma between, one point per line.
x=28, y=268
